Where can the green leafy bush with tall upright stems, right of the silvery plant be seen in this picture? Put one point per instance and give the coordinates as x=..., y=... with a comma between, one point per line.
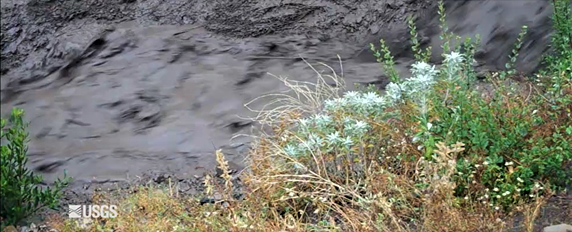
x=506, y=160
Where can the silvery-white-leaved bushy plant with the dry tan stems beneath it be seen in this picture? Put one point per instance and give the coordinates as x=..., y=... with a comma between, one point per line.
x=359, y=152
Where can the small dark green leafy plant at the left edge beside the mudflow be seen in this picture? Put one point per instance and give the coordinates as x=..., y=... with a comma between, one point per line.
x=19, y=191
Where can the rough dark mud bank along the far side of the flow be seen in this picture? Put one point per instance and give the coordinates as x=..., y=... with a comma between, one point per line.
x=36, y=25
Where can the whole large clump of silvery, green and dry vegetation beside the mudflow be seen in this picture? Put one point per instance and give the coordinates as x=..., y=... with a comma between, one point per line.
x=430, y=153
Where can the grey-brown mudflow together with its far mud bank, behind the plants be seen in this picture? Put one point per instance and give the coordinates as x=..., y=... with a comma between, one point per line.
x=113, y=89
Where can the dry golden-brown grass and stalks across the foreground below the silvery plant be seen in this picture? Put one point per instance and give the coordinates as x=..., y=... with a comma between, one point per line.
x=387, y=187
